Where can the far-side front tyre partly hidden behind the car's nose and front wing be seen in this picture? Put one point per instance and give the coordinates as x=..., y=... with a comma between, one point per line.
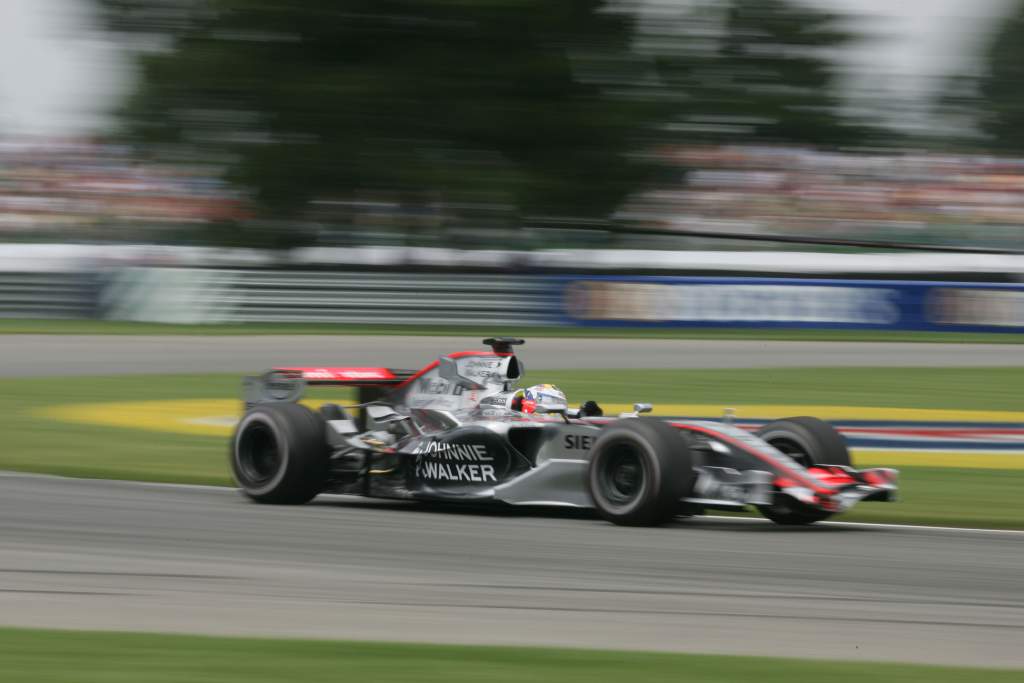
x=810, y=442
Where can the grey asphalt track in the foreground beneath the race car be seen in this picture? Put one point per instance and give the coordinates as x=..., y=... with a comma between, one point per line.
x=110, y=556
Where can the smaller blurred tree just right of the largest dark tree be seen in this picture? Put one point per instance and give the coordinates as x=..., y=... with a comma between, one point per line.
x=760, y=71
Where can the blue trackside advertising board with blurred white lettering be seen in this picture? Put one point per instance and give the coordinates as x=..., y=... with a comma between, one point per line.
x=782, y=303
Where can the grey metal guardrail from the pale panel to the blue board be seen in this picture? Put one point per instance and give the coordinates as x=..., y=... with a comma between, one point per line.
x=196, y=295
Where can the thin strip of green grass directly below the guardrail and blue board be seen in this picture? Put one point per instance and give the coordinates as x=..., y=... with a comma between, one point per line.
x=125, y=328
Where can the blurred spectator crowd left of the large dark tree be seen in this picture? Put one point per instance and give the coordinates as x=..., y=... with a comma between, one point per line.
x=82, y=190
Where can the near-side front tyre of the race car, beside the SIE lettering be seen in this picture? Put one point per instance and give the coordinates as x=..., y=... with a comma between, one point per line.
x=641, y=469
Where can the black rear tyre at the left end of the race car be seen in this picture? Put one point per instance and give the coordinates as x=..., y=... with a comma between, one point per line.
x=280, y=454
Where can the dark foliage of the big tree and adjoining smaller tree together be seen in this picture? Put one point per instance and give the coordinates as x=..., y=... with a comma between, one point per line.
x=504, y=108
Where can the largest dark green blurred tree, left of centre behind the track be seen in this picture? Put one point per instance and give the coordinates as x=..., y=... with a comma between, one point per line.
x=530, y=103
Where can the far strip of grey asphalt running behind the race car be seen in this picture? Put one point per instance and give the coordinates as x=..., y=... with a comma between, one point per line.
x=27, y=356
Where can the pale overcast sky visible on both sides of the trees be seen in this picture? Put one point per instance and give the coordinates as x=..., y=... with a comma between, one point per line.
x=60, y=76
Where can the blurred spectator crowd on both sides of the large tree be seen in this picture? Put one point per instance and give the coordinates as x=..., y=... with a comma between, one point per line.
x=89, y=191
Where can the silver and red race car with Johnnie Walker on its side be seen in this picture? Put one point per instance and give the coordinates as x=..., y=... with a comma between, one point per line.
x=460, y=432
